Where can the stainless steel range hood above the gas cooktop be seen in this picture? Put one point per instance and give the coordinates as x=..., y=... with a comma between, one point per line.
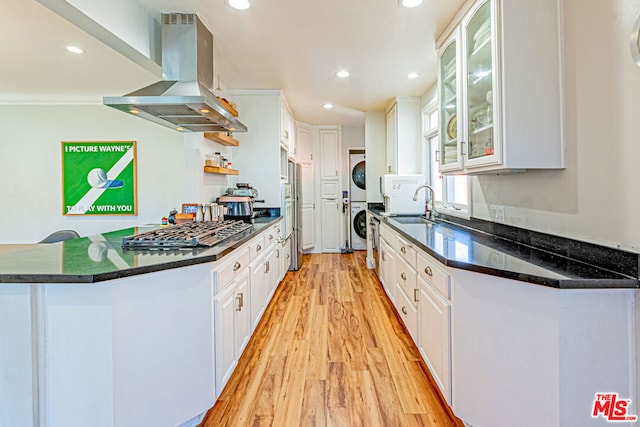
x=183, y=99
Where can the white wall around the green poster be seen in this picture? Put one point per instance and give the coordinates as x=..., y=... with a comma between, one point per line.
x=30, y=168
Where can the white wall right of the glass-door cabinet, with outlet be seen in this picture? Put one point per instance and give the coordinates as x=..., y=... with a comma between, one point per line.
x=596, y=197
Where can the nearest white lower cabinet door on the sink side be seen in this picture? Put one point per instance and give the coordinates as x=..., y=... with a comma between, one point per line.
x=435, y=336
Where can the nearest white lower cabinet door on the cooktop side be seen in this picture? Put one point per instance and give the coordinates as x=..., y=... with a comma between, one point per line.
x=224, y=313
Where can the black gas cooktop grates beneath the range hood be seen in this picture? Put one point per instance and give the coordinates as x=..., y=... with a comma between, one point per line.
x=187, y=235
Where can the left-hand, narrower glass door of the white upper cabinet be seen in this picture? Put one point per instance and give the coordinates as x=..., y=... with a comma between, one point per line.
x=450, y=120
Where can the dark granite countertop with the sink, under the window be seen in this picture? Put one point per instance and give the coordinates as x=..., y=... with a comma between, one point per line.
x=465, y=248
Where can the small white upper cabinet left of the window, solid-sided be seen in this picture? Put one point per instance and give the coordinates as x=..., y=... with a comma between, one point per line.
x=403, y=136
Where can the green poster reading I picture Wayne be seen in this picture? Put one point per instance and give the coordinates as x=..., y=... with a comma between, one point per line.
x=99, y=178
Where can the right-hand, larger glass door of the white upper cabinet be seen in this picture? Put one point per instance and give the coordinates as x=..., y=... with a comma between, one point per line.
x=478, y=33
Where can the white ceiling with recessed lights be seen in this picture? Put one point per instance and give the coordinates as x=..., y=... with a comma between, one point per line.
x=293, y=45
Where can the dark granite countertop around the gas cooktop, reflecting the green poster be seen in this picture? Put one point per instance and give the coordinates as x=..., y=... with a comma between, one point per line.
x=101, y=257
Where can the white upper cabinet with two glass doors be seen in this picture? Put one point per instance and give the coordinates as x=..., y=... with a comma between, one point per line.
x=500, y=89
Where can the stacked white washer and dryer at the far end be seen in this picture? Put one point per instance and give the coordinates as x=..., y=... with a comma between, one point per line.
x=357, y=188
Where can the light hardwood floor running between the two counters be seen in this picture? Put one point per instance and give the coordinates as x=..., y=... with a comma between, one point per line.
x=330, y=351
